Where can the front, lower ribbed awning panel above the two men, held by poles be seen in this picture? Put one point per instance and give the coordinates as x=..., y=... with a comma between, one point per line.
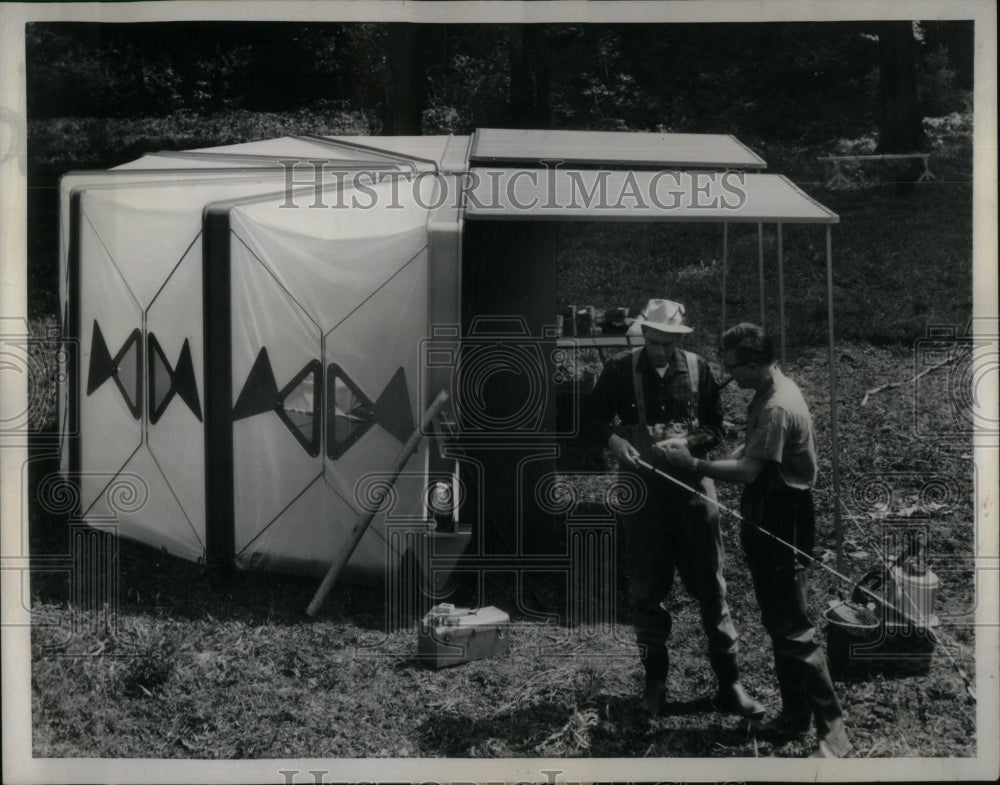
x=601, y=195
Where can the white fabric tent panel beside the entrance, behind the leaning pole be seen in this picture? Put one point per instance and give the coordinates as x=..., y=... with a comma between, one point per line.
x=346, y=288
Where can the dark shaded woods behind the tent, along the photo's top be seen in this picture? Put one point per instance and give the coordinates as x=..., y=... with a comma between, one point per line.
x=102, y=94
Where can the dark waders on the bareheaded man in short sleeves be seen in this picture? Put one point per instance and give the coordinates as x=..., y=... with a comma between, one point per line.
x=781, y=586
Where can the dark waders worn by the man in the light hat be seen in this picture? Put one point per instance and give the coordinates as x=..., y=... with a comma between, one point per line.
x=676, y=528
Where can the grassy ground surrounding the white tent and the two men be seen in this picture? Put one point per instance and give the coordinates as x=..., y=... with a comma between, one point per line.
x=181, y=666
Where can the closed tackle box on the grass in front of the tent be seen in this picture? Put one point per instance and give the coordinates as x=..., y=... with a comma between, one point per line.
x=451, y=636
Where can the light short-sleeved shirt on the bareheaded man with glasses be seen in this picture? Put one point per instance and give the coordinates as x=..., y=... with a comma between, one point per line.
x=780, y=429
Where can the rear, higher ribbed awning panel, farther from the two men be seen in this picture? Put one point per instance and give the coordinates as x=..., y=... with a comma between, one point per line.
x=636, y=149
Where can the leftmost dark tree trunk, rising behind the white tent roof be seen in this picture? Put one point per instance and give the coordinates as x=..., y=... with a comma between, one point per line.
x=405, y=92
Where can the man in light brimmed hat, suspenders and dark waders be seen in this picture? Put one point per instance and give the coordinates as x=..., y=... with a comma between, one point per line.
x=647, y=396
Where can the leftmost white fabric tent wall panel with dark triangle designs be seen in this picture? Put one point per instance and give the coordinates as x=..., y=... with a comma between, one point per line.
x=140, y=272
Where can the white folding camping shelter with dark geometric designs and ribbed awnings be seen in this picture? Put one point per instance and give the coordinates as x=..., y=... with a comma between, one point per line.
x=261, y=326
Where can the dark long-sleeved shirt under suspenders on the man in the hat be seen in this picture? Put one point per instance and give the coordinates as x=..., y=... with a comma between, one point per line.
x=667, y=399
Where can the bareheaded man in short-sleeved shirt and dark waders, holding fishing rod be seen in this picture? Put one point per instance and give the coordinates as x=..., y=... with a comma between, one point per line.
x=777, y=465
